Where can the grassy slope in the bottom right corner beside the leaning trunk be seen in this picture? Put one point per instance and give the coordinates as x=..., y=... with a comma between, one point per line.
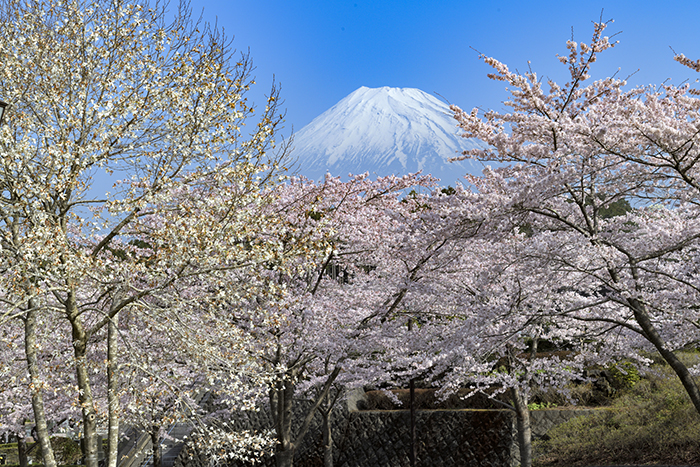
x=653, y=422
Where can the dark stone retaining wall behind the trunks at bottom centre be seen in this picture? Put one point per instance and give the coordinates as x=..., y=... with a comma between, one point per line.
x=365, y=438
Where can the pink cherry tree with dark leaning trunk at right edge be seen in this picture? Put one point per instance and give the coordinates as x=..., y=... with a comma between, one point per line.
x=571, y=152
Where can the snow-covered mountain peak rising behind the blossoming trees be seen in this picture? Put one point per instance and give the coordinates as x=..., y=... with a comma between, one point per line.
x=384, y=131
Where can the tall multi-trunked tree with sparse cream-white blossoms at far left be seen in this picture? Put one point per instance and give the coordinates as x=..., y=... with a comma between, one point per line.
x=144, y=94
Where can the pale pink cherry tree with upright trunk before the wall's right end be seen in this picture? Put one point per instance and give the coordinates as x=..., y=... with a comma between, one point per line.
x=483, y=333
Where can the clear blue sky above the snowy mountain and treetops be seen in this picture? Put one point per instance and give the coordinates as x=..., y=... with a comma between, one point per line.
x=322, y=50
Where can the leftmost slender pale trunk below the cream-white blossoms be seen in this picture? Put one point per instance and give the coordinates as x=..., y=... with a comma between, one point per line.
x=30, y=348
